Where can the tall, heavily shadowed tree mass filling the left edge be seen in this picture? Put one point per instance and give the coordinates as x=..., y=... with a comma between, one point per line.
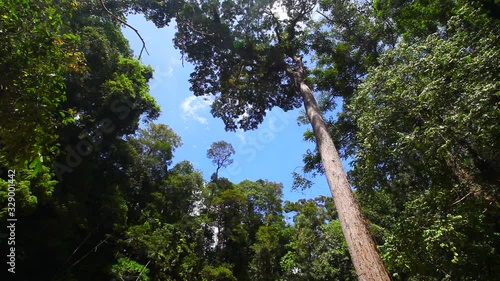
x=77, y=201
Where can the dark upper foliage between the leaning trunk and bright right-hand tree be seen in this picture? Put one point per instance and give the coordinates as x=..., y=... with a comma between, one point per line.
x=346, y=42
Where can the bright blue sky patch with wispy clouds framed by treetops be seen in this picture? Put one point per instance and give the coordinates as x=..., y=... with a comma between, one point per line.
x=271, y=152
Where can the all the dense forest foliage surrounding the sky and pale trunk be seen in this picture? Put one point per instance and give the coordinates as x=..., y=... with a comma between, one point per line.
x=99, y=195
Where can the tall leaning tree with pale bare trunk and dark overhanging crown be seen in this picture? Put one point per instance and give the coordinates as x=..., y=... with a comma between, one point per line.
x=251, y=59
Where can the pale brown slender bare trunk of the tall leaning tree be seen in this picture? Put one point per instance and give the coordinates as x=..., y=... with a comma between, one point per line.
x=362, y=249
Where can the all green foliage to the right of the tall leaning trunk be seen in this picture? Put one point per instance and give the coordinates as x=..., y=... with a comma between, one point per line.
x=421, y=130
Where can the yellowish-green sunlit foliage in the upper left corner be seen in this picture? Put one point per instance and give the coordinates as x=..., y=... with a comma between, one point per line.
x=35, y=54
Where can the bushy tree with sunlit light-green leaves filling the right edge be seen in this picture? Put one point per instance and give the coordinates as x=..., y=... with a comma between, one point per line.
x=428, y=124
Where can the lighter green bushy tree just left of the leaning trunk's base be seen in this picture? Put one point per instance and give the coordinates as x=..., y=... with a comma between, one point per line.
x=317, y=249
